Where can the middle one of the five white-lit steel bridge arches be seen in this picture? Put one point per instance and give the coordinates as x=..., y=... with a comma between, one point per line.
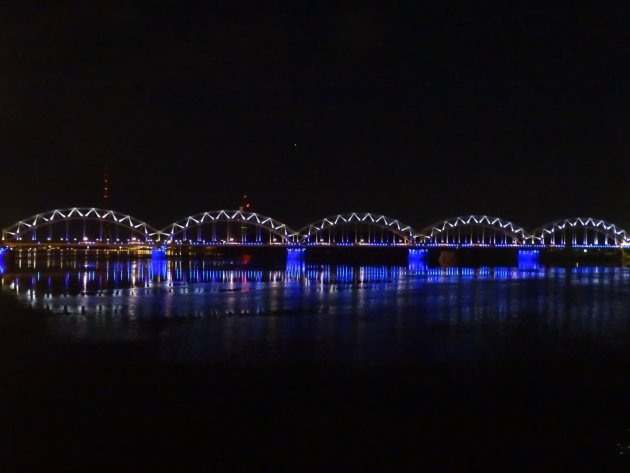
x=313, y=233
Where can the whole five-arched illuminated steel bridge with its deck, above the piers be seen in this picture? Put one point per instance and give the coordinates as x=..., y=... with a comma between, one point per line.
x=103, y=229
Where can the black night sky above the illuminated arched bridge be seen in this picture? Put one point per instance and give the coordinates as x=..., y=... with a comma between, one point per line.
x=421, y=112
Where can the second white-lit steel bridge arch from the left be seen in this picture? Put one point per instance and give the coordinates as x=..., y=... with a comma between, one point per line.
x=229, y=227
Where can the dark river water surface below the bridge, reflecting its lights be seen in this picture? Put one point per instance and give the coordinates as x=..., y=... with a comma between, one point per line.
x=458, y=364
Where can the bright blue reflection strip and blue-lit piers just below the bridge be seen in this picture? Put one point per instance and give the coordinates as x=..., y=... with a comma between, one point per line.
x=160, y=271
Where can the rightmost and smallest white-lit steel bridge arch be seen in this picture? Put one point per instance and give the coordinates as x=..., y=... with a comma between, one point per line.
x=581, y=232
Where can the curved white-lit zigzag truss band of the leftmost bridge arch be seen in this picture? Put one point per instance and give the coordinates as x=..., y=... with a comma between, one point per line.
x=30, y=225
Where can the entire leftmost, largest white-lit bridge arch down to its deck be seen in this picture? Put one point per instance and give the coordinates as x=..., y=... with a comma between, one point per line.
x=80, y=224
